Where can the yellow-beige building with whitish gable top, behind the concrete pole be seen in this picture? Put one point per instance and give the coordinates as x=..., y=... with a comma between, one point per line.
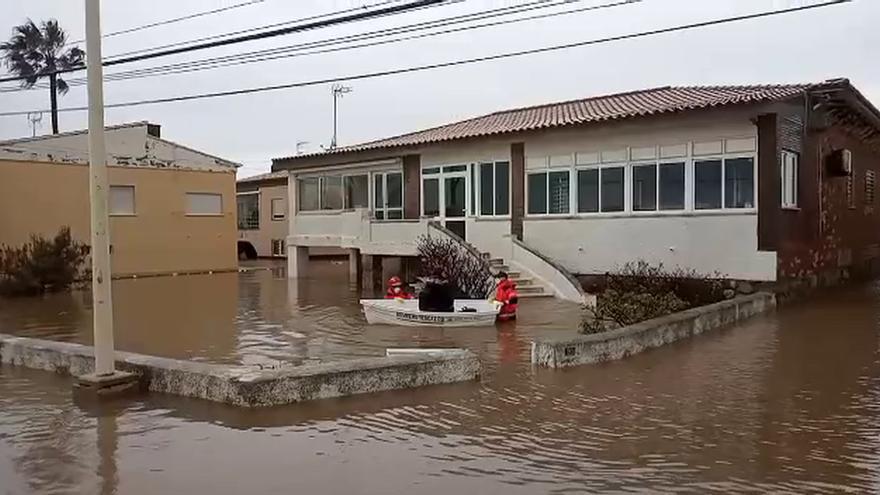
x=172, y=208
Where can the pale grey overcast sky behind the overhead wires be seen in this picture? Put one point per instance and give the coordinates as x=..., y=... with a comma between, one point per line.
x=839, y=41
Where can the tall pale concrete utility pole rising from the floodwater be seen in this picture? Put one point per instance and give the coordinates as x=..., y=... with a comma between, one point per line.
x=101, y=292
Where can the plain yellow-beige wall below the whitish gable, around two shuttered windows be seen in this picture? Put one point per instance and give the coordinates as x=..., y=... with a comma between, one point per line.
x=40, y=197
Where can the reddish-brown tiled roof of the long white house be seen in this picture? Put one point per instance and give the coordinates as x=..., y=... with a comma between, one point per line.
x=590, y=110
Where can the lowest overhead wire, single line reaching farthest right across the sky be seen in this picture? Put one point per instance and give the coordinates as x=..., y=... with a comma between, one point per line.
x=455, y=63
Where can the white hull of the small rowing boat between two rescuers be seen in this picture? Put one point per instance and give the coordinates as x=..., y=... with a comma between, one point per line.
x=407, y=313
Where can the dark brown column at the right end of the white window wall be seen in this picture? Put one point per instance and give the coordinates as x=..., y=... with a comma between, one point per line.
x=769, y=183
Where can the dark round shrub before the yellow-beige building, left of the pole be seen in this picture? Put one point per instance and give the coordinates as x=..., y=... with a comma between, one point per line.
x=41, y=265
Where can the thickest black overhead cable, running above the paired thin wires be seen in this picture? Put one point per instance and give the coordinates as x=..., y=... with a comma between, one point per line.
x=417, y=4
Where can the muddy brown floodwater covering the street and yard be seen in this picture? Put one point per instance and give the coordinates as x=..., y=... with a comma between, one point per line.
x=786, y=403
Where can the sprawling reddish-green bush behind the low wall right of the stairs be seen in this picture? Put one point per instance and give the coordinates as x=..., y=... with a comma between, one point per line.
x=640, y=291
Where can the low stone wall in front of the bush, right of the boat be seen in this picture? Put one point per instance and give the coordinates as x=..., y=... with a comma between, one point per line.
x=623, y=342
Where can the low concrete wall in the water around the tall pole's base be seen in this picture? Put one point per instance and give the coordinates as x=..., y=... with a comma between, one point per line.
x=248, y=386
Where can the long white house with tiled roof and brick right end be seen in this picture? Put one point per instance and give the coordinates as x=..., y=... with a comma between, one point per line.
x=738, y=181
